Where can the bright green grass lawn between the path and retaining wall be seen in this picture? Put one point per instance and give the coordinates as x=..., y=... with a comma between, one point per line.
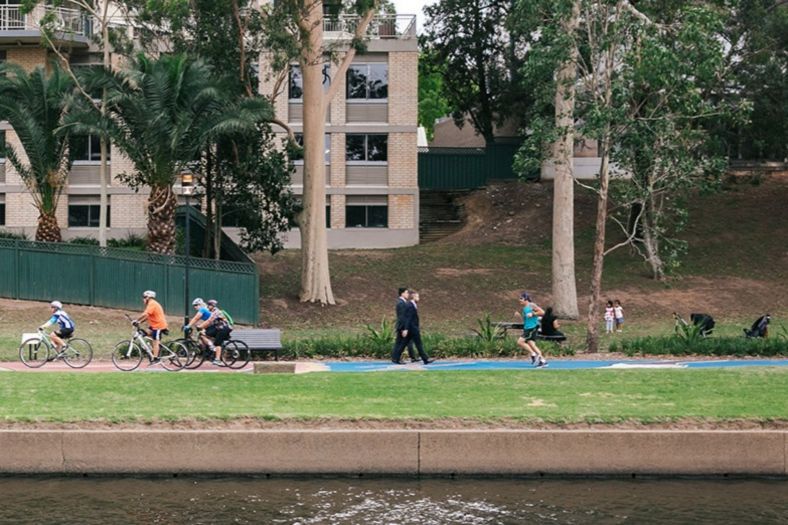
x=551, y=396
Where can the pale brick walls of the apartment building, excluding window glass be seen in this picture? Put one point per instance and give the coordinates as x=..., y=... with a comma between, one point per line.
x=394, y=182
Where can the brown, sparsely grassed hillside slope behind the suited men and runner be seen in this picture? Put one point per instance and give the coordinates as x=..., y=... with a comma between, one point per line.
x=736, y=268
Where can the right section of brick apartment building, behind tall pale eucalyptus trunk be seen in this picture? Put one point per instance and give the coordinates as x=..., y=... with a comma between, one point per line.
x=371, y=136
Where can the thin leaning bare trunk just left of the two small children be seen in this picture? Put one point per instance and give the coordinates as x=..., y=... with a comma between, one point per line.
x=592, y=326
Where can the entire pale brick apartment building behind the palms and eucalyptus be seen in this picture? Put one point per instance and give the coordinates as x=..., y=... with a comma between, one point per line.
x=371, y=130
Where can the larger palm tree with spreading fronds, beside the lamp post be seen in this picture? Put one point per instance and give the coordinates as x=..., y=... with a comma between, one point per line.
x=161, y=113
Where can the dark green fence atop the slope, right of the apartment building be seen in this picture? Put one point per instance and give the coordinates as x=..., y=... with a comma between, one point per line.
x=467, y=168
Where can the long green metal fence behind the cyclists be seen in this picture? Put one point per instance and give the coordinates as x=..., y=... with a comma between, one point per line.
x=116, y=278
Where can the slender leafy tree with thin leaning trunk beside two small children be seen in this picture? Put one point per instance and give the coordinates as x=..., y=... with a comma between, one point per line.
x=643, y=74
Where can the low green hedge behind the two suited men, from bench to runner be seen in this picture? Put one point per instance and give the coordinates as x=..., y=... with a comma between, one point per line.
x=436, y=345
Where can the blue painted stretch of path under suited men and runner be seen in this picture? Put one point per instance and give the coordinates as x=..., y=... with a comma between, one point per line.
x=555, y=364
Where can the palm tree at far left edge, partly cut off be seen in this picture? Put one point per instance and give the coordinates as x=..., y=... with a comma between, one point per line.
x=34, y=104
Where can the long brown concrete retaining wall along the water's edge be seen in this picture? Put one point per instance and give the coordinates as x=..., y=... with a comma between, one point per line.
x=401, y=452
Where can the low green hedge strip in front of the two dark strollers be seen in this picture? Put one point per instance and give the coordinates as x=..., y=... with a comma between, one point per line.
x=719, y=346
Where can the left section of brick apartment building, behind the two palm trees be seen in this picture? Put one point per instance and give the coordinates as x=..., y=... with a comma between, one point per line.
x=78, y=209
